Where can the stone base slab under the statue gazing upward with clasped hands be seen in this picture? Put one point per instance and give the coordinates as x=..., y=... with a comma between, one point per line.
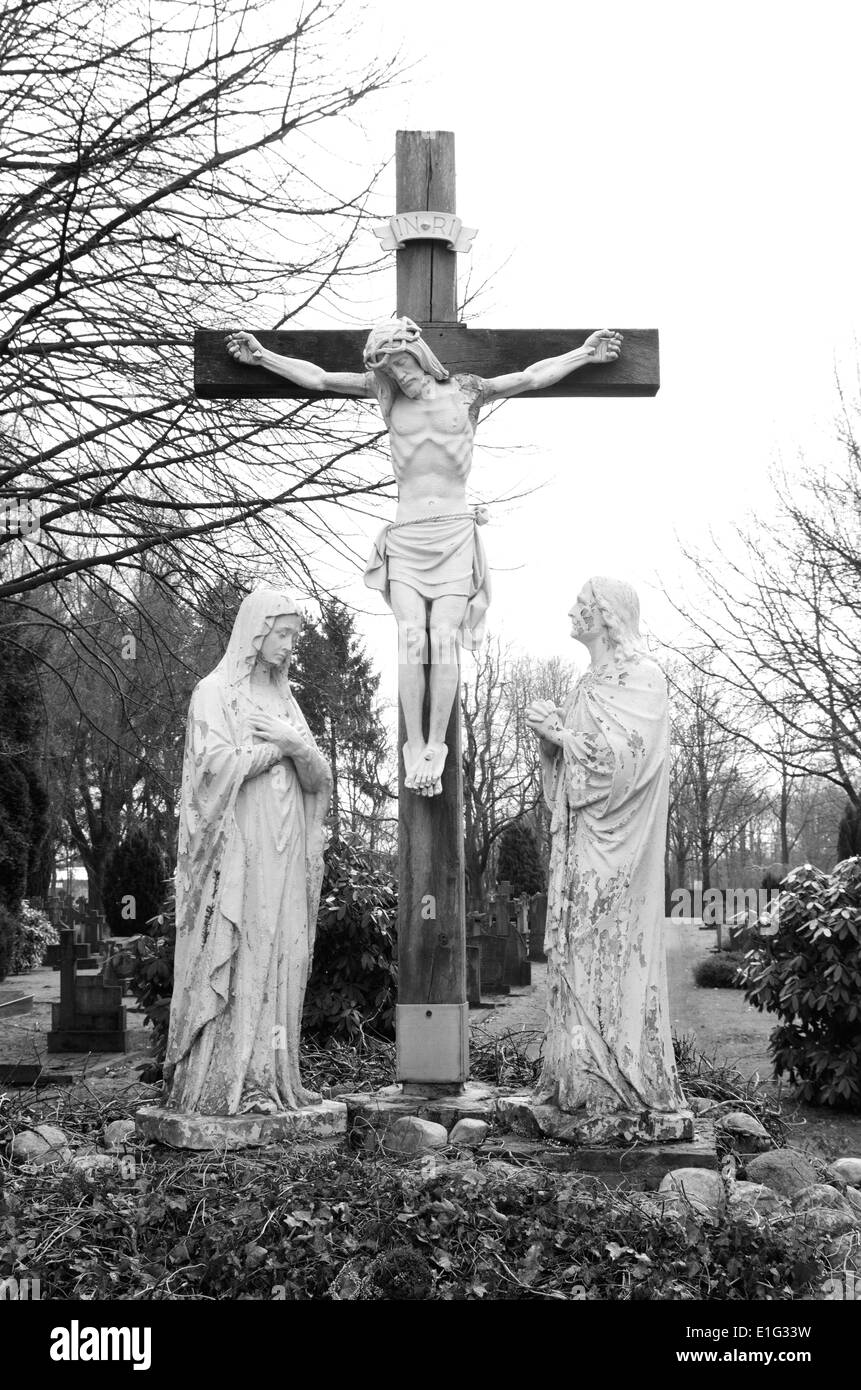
x=525, y=1115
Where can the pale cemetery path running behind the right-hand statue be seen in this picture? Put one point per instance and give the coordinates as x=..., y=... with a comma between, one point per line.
x=723, y=1025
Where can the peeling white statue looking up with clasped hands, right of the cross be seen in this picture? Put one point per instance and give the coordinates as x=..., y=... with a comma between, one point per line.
x=609, y=1056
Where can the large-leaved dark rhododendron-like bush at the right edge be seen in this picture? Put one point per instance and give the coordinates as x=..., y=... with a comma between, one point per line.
x=809, y=974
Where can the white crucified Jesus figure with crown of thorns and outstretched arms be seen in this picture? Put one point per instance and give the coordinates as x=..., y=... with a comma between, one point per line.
x=430, y=562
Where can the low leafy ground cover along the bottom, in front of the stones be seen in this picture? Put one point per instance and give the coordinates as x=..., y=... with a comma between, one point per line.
x=283, y=1225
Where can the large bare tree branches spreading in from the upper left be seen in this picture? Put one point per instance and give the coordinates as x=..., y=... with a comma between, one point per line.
x=162, y=170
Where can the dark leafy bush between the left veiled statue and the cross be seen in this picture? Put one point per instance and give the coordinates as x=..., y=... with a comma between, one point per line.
x=354, y=979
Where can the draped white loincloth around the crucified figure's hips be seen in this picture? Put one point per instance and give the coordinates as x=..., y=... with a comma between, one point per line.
x=436, y=557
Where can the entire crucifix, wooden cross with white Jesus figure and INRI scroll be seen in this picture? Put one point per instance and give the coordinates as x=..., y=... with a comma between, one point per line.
x=430, y=376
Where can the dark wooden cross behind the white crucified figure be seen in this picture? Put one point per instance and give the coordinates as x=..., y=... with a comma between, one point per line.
x=433, y=1014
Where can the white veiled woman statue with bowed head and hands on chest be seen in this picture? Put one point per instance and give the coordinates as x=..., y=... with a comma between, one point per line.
x=255, y=793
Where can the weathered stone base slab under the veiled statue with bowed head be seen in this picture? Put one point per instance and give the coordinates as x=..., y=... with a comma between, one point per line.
x=179, y=1129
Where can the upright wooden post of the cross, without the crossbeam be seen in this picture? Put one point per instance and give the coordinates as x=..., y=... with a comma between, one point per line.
x=433, y=1013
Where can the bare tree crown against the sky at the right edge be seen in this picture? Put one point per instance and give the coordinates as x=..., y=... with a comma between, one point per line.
x=780, y=616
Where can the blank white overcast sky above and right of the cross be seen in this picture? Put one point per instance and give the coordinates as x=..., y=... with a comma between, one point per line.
x=684, y=166
